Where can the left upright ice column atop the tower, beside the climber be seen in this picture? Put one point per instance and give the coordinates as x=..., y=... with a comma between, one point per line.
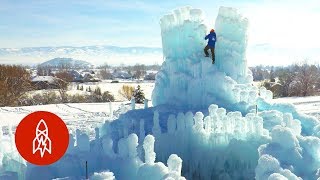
x=182, y=33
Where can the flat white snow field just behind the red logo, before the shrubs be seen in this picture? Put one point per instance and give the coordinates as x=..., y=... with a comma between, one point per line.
x=84, y=116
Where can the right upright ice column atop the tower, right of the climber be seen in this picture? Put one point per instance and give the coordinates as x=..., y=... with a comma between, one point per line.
x=231, y=28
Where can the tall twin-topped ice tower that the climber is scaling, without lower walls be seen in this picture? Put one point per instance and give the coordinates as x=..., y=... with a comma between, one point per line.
x=187, y=78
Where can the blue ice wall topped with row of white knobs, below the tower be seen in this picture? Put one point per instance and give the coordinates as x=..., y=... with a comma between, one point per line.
x=207, y=143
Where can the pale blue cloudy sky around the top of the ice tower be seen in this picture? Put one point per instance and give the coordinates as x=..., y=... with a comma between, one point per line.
x=281, y=31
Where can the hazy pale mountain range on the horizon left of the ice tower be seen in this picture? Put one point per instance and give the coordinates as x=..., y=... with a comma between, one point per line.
x=93, y=54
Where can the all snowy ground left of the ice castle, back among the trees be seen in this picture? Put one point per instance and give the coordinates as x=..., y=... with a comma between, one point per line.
x=83, y=116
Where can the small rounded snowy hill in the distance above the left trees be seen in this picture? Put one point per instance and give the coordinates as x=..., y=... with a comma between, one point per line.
x=59, y=62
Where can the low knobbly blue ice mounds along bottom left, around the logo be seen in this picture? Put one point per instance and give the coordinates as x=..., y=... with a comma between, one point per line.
x=103, y=162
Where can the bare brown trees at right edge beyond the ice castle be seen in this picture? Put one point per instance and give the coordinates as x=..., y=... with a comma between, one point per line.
x=300, y=79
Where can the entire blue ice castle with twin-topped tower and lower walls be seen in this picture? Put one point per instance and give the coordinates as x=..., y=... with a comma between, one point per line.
x=208, y=121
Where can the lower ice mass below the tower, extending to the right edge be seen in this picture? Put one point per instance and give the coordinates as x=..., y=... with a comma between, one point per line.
x=273, y=142
